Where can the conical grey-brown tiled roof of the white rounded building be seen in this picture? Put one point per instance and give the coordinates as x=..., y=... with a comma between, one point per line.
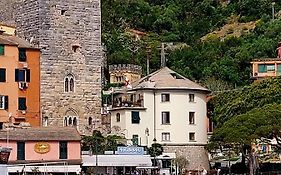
x=166, y=78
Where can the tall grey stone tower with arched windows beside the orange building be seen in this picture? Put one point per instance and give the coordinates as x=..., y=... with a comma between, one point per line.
x=68, y=32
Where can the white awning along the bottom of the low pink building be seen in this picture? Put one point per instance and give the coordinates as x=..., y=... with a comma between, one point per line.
x=44, y=168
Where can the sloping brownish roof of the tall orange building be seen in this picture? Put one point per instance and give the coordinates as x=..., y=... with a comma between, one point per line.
x=14, y=40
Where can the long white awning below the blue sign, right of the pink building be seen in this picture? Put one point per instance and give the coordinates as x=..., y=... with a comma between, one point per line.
x=117, y=160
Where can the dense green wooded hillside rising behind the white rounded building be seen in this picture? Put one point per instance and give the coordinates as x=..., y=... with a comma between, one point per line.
x=218, y=64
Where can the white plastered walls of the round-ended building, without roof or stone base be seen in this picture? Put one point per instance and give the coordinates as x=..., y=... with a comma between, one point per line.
x=175, y=131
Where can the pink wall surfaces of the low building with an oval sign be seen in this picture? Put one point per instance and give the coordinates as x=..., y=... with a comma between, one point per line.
x=73, y=150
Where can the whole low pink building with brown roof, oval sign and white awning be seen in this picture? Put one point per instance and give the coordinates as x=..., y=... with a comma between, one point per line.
x=44, y=149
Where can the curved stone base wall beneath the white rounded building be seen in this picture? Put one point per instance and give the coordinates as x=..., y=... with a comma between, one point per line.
x=196, y=155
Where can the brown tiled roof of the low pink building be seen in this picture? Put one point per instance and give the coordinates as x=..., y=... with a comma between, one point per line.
x=42, y=134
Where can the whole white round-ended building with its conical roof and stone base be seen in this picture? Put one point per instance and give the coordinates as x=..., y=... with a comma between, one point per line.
x=168, y=107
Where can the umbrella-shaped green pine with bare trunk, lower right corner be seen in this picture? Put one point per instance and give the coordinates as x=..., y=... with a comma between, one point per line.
x=246, y=129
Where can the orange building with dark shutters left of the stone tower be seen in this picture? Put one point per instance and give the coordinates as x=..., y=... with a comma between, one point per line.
x=19, y=82
